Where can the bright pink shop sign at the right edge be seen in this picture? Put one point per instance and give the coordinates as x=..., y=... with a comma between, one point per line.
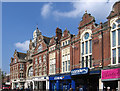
x=111, y=74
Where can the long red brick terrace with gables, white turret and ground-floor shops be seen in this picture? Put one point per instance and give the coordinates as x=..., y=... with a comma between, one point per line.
x=83, y=61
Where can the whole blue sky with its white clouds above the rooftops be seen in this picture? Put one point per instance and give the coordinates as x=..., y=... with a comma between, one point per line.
x=19, y=20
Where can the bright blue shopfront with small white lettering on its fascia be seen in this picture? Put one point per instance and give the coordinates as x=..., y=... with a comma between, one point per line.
x=60, y=82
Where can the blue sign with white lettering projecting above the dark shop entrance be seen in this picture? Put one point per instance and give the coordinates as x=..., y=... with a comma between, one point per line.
x=79, y=71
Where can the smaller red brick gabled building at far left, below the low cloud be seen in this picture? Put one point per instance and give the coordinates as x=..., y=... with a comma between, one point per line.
x=18, y=70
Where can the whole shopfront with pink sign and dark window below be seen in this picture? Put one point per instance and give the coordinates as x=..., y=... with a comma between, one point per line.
x=111, y=79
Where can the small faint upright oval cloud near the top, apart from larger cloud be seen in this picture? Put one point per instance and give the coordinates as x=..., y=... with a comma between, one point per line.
x=46, y=9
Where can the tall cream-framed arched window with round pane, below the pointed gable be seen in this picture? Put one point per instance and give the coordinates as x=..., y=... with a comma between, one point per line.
x=86, y=49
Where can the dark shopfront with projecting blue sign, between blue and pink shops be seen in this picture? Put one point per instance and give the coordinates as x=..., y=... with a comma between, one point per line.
x=84, y=79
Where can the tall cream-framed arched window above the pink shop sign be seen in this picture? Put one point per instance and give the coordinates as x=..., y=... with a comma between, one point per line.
x=115, y=41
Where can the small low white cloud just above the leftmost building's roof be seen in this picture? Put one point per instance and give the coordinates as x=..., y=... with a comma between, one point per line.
x=24, y=46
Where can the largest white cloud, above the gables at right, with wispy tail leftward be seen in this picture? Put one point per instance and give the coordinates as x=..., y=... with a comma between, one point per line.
x=95, y=8
